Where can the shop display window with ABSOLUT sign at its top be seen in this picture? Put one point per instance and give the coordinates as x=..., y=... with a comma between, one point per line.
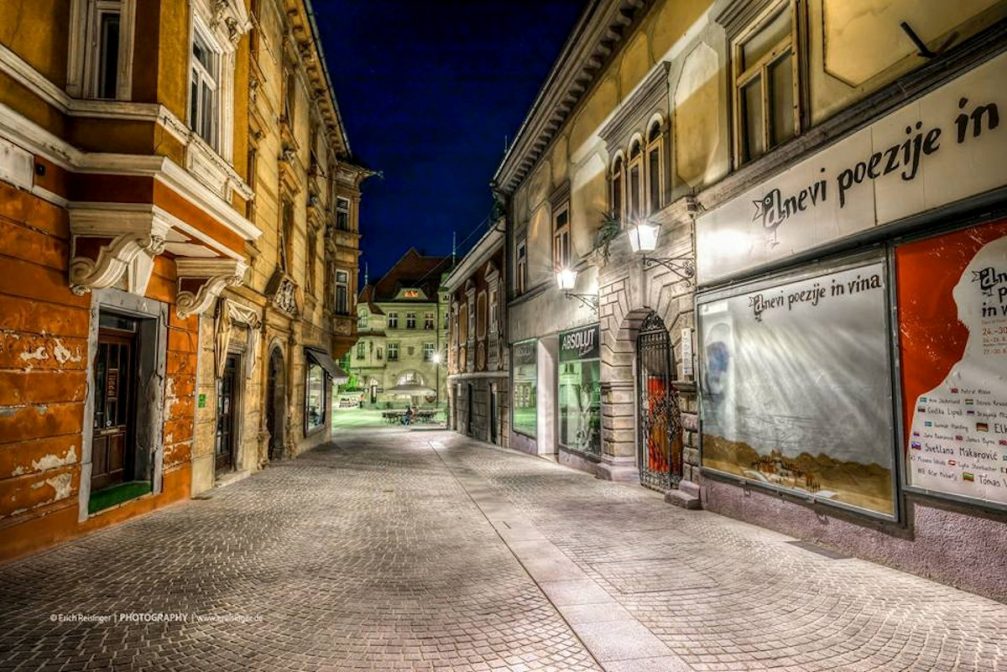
x=580, y=389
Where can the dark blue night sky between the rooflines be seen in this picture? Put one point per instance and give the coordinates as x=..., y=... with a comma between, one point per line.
x=428, y=90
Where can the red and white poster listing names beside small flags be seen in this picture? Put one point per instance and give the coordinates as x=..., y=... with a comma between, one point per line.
x=953, y=336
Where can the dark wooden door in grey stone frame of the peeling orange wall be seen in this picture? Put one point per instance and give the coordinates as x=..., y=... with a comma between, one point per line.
x=115, y=404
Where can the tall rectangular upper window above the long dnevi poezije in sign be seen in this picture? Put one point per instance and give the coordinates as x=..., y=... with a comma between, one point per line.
x=767, y=112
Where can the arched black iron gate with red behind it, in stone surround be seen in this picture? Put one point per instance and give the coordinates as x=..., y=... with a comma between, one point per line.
x=660, y=445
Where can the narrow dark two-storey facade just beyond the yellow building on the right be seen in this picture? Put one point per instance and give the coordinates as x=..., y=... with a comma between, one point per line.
x=478, y=356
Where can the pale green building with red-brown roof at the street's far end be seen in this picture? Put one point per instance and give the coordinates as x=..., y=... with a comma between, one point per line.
x=402, y=332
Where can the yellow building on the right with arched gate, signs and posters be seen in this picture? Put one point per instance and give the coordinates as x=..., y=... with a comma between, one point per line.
x=750, y=194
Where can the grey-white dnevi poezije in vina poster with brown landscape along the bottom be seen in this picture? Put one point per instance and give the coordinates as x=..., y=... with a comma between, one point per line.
x=797, y=389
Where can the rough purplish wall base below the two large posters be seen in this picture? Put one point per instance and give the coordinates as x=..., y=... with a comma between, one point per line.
x=948, y=543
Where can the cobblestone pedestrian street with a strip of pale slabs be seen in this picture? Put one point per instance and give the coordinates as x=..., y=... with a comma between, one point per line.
x=419, y=551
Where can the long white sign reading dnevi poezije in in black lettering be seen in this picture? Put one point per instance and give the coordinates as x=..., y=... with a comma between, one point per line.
x=945, y=147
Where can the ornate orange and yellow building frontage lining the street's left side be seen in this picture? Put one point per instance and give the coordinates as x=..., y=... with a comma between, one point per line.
x=141, y=186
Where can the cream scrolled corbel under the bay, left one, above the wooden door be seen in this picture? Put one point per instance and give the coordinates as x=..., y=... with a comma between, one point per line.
x=109, y=244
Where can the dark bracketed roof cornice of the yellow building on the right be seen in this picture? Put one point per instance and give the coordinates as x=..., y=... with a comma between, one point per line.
x=592, y=47
